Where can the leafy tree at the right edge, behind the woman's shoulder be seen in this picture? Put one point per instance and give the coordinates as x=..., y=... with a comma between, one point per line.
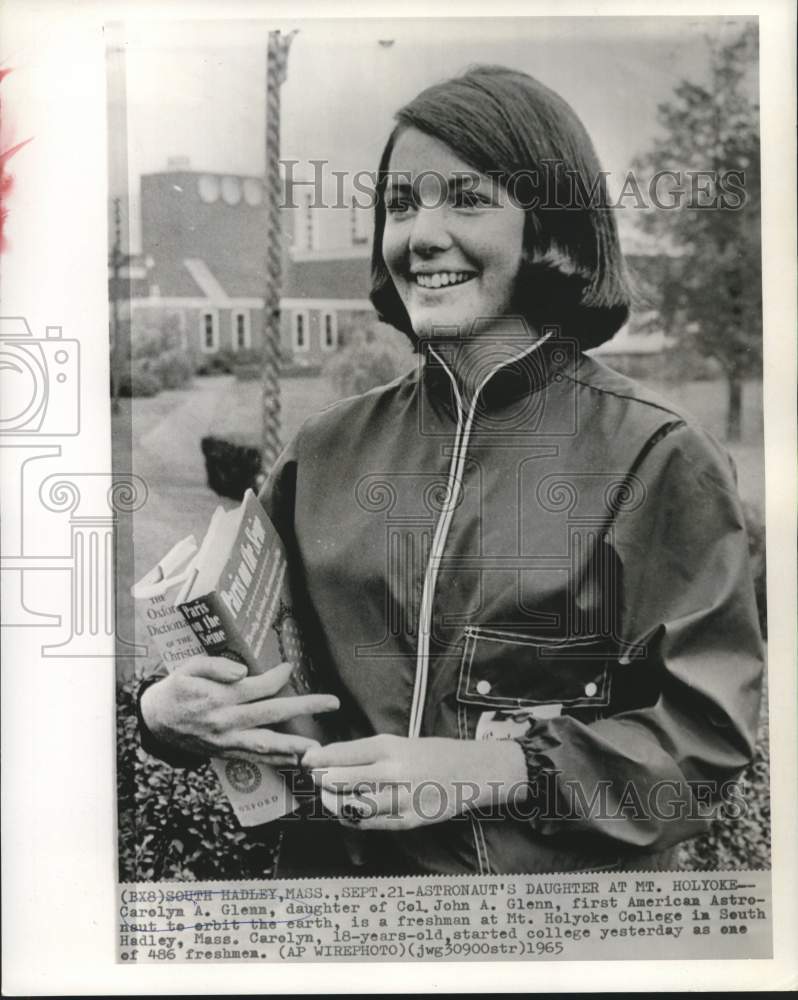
x=711, y=141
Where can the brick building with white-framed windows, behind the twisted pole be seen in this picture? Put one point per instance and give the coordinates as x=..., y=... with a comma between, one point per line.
x=201, y=271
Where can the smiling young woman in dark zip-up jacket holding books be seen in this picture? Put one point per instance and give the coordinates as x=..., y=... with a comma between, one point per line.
x=526, y=577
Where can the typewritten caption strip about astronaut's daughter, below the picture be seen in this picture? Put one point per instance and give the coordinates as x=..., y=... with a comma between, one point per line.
x=657, y=915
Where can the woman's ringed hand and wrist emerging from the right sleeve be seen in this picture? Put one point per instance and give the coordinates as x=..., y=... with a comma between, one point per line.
x=397, y=783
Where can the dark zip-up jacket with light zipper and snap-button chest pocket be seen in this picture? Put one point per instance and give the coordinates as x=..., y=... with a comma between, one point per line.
x=565, y=555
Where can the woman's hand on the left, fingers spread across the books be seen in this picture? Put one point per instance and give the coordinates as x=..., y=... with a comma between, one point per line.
x=209, y=706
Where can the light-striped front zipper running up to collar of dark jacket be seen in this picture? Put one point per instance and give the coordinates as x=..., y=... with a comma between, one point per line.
x=453, y=485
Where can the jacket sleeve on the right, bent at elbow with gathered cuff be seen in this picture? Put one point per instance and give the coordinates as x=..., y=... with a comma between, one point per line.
x=686, y=599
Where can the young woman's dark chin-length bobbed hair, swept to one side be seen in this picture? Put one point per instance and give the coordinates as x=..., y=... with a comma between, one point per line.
x=506, y=124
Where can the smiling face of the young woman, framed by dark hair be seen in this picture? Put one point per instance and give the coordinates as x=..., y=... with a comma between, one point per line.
x=452, y=247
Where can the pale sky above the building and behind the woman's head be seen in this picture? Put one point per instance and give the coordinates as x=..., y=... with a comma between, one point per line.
x=197, y=89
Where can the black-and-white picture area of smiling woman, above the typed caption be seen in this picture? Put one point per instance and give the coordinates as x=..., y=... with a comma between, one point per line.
x=499, y=395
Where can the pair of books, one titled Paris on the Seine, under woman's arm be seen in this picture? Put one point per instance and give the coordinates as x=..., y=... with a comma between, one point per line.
x=231, y=598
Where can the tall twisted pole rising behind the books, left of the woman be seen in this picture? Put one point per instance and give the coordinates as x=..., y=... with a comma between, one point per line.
x=276, y=68
